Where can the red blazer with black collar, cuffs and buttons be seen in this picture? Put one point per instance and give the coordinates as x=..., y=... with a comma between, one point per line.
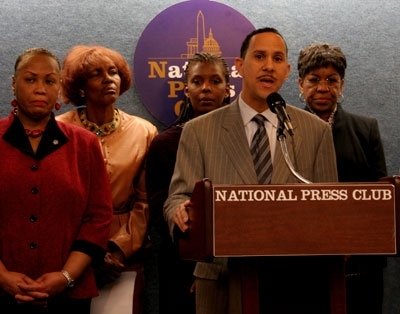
x=52, y=202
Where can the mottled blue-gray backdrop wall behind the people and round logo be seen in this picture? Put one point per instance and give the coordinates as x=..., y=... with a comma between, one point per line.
x=367, y=31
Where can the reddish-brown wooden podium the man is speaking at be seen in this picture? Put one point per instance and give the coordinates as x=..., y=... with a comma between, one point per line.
x=334, y=219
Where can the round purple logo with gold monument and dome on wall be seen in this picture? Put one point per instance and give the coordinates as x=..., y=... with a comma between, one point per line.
x=174, y=36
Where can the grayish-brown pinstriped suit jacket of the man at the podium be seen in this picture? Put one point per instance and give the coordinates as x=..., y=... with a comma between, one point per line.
x=214, y=146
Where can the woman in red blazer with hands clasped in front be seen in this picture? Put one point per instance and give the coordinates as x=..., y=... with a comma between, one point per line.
x=55, y=200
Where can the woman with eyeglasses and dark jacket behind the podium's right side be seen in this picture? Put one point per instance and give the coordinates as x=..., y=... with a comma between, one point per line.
x=359, y=154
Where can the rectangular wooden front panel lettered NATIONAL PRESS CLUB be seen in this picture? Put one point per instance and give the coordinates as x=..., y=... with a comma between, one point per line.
x=315, y=220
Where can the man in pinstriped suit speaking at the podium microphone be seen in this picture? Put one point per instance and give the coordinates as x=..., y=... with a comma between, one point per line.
x=216, y=146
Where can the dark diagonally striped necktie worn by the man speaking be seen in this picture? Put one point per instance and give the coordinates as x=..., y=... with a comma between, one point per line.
x=261, y=152
